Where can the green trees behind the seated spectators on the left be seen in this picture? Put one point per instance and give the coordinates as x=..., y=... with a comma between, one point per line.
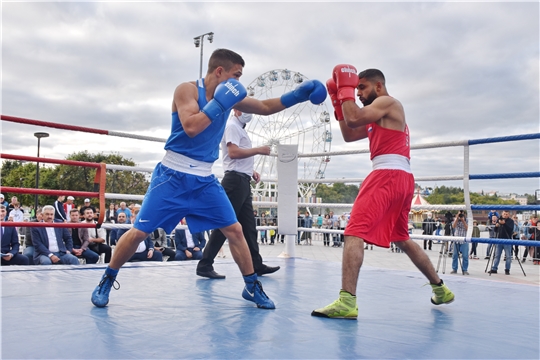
x=75, y=178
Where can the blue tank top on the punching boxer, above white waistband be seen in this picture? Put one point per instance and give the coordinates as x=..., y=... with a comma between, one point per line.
x=204, y=146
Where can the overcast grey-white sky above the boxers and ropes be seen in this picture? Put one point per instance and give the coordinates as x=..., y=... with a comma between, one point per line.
x=462, y=71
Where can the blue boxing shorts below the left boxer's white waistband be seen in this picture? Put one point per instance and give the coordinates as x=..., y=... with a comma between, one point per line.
x=173, y=195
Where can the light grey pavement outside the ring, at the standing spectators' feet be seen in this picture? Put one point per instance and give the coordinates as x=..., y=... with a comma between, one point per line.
x=384, y=258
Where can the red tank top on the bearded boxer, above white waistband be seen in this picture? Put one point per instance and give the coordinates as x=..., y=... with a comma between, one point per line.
x=384, y=141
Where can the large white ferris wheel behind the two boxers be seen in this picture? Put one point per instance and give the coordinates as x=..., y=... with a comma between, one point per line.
x=305, y=124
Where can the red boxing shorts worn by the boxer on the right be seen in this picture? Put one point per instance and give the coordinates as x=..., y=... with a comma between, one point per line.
x=380, y=213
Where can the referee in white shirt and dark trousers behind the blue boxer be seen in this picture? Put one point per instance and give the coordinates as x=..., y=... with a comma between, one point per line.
x=238, y=156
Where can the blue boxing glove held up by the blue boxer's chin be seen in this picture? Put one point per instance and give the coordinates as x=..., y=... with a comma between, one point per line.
x=228, y=93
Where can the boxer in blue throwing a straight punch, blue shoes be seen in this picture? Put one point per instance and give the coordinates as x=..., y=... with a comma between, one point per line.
x=182, y=183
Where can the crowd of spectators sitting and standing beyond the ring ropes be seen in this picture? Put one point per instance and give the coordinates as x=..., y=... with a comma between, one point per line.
x=46, y=246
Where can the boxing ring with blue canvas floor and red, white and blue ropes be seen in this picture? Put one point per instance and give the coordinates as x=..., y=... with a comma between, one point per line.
x=165, y=311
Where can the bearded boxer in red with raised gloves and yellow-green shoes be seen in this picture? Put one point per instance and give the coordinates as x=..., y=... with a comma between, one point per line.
x=380, y=212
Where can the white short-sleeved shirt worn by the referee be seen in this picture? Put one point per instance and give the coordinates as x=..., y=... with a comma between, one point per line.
x=235, y=134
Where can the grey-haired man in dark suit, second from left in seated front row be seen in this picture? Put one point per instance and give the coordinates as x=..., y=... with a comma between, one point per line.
x=52, y=245
